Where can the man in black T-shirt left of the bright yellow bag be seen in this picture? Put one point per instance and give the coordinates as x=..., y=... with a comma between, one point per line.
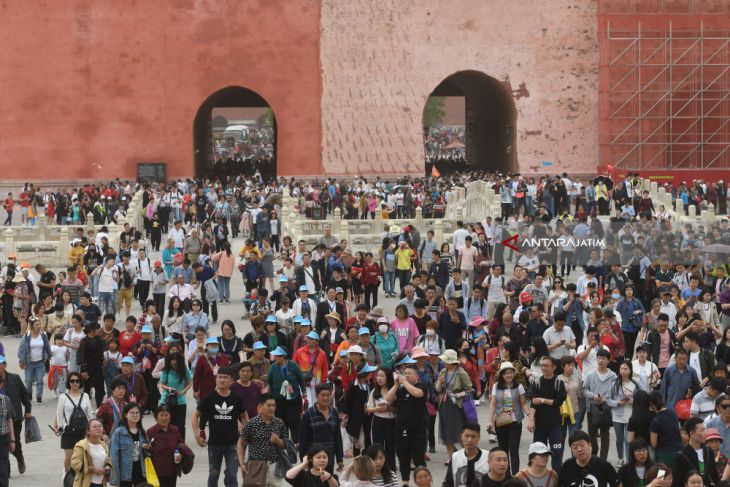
x=546, y=396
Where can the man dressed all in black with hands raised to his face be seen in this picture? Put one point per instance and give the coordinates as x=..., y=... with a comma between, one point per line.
x=408, y=395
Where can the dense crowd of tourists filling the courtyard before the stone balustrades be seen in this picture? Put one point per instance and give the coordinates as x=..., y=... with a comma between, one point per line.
x=632, y=356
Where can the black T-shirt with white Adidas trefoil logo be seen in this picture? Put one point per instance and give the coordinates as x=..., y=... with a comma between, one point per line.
x=222, y=415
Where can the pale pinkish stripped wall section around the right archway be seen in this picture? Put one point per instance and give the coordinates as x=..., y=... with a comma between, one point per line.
x=381, y=59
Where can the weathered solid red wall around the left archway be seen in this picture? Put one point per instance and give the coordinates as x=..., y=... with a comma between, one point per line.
x=116, y=83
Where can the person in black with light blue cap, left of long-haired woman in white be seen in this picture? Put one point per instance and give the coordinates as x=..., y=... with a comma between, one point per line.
x=353, y=408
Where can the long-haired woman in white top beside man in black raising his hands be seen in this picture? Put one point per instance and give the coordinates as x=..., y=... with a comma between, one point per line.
x=383, y=423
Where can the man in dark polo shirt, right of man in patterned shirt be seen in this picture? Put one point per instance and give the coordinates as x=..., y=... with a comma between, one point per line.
x=321, y=424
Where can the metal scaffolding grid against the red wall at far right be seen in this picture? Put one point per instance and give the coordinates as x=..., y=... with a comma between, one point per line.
x=668, y=98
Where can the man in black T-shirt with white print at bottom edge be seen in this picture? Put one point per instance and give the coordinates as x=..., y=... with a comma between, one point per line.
x=583, y=468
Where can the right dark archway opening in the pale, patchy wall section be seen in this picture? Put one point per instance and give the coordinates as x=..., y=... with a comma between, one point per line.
x=486, y=140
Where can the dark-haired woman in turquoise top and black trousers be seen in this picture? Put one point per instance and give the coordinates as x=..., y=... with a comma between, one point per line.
x=175, y=381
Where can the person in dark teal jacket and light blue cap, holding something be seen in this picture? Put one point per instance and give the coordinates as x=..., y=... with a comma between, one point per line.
x=286, y=384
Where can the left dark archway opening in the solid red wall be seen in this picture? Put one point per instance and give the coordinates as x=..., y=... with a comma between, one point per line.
x=234, y=133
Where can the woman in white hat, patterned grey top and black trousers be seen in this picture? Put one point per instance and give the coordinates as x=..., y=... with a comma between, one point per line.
x=454, y=385
